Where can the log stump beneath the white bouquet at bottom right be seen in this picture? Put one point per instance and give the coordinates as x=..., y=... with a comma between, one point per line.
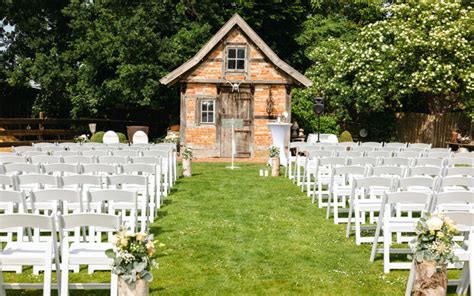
x=430, y=281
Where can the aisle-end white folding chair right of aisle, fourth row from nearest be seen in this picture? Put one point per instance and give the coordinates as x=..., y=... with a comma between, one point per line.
x=340, y=189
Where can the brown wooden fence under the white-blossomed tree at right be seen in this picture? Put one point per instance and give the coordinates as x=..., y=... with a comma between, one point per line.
x=428, y=128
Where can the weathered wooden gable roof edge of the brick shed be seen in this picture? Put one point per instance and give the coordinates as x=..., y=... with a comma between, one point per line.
x=236, y=20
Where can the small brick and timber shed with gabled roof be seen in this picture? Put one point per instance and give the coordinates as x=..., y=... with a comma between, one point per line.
x=236, y=75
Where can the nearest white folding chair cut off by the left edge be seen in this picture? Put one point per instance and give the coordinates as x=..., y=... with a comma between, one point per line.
x=36, y=253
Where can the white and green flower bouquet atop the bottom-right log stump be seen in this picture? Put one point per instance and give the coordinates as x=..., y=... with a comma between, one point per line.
x=434, y=240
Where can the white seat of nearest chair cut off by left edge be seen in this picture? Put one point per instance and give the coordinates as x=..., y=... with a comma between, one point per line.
x=24, y=252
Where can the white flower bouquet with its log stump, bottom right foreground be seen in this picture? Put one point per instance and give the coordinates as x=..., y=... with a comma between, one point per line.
x=432, y=251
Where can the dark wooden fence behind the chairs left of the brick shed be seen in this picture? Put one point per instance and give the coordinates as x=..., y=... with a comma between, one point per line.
x=24, y=131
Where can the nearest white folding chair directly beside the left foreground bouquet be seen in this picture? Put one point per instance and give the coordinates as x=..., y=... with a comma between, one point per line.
x=89, y=252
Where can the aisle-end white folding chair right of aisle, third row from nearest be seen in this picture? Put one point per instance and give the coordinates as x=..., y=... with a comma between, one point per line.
x=366, y=197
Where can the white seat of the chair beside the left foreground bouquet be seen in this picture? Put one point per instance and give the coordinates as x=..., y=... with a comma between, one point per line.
x=89, y=253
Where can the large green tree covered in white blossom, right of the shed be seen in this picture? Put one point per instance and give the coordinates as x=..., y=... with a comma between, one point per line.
x=417, y=58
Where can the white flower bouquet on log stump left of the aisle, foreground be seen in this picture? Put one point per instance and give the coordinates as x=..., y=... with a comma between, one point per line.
x=133, y=260
